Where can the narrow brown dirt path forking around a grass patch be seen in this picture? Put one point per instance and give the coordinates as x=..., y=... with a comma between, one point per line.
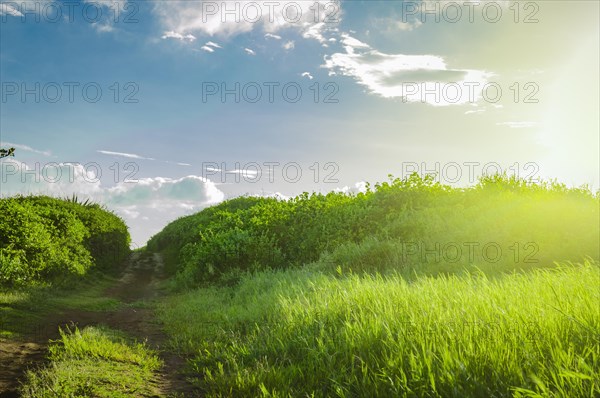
x=139, y=283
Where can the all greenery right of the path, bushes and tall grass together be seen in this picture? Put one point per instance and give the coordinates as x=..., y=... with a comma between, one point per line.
x=411, y=289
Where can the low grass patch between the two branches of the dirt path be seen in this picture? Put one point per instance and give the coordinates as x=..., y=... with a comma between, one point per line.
x=95, y=362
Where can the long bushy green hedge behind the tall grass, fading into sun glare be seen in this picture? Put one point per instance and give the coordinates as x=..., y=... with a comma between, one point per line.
x=393, y=226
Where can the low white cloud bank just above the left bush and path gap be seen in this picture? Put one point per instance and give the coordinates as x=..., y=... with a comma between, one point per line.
x=146, y=205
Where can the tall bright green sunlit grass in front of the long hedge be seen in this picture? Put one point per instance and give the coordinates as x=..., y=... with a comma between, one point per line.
x=303, y=333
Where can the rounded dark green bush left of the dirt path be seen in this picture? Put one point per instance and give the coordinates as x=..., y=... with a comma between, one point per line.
x=44, y=239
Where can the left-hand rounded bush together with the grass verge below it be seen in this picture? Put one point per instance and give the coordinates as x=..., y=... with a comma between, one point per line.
x=56, y=254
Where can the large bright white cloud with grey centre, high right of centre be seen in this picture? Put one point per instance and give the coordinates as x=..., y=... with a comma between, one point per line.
x=414, y=78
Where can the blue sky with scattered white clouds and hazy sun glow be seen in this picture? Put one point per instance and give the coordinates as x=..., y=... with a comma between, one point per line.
x=160, y=108
